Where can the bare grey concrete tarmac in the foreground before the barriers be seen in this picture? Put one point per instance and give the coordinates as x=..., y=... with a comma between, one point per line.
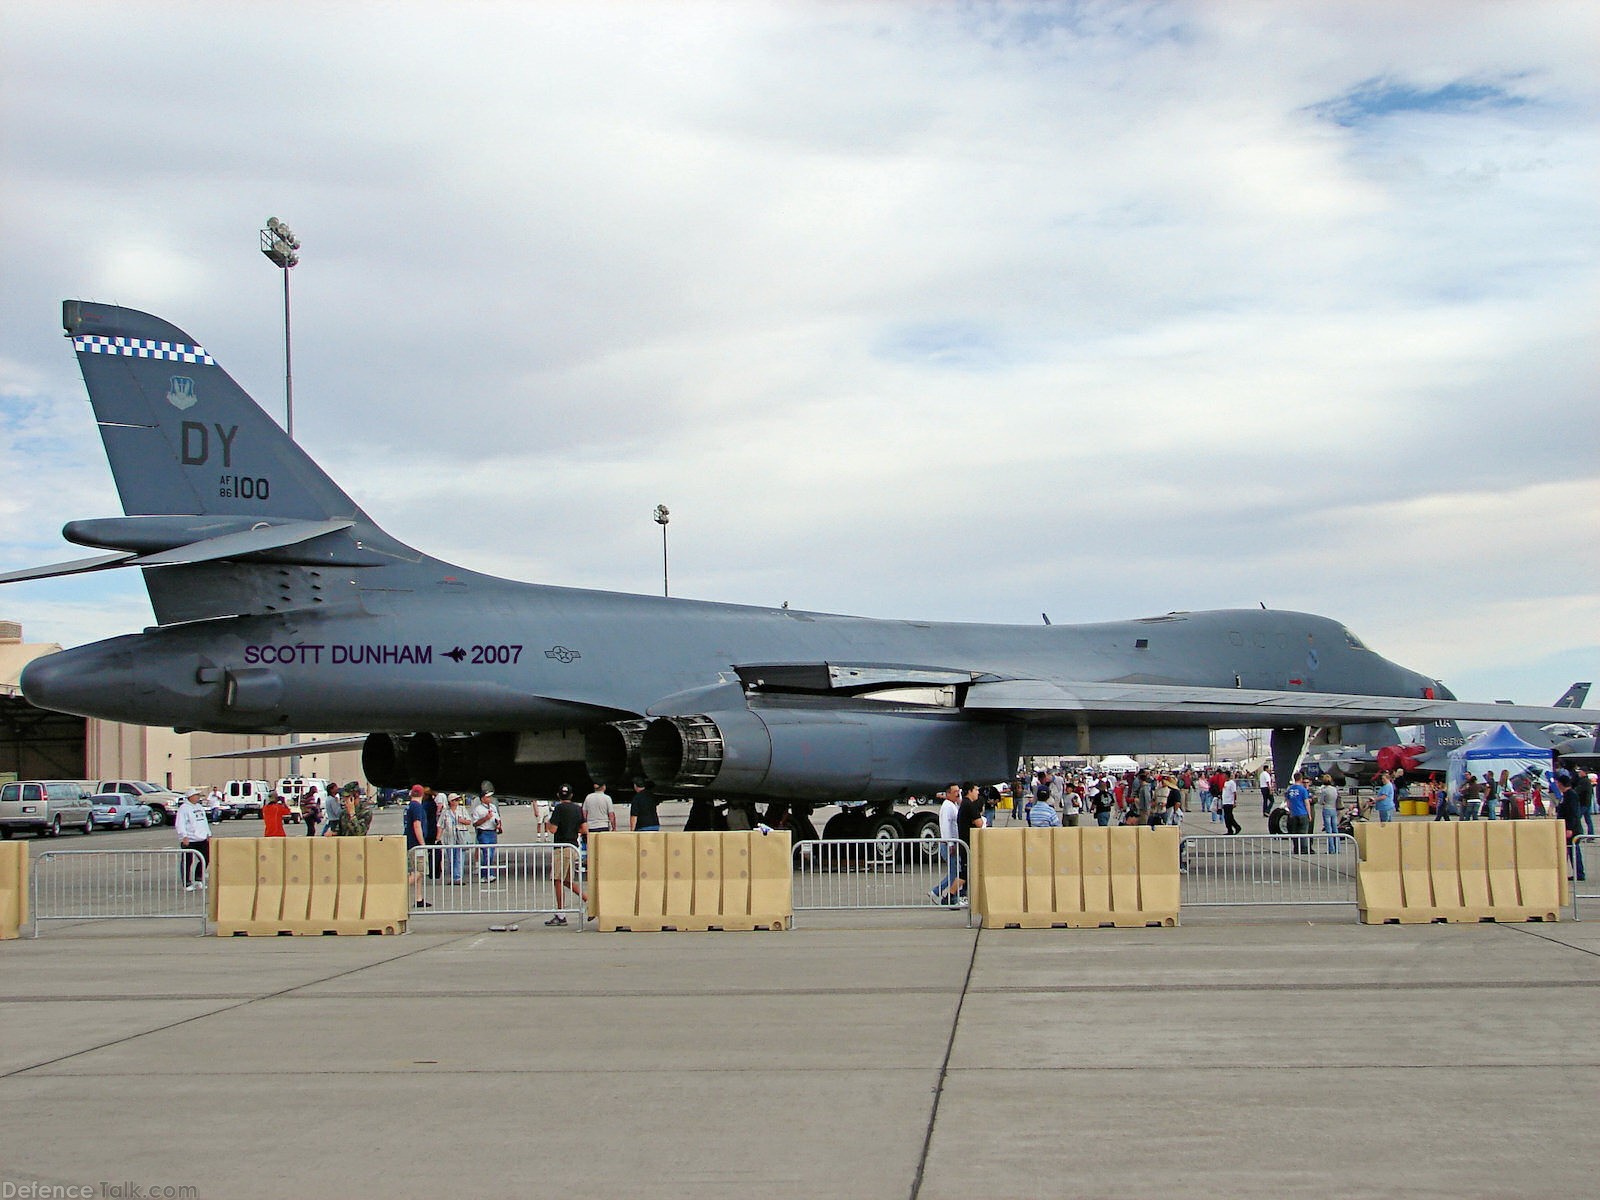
x=860, y=1055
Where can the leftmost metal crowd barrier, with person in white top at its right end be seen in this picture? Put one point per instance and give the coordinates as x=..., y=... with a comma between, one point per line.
x=118, y=886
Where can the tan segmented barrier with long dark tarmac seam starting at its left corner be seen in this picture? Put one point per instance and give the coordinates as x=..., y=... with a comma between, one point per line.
x=1082, y=878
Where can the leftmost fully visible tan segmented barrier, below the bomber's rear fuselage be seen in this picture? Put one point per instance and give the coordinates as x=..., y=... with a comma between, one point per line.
x=266, y=887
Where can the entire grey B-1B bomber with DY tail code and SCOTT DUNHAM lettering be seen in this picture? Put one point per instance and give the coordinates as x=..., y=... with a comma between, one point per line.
x=282, y=607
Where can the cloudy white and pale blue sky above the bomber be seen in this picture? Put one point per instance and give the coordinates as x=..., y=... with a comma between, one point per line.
x=959, y=311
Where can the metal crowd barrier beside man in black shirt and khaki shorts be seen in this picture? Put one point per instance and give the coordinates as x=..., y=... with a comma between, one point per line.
x=513, y=881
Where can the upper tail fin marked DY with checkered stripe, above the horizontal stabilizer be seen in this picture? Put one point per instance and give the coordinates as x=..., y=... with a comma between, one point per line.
x=182, y=436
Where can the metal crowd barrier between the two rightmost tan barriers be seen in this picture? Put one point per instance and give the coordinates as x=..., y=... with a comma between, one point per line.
x=1257, y=870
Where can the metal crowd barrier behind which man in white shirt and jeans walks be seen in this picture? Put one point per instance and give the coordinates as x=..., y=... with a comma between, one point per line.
x=850, y=874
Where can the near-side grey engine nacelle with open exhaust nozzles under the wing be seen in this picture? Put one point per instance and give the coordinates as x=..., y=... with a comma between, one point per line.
x=822, y=754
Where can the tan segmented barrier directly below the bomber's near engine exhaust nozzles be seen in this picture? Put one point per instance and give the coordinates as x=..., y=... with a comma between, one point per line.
x=705, y=881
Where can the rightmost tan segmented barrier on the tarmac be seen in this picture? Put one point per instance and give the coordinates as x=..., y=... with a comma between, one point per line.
x=1462, y=871
